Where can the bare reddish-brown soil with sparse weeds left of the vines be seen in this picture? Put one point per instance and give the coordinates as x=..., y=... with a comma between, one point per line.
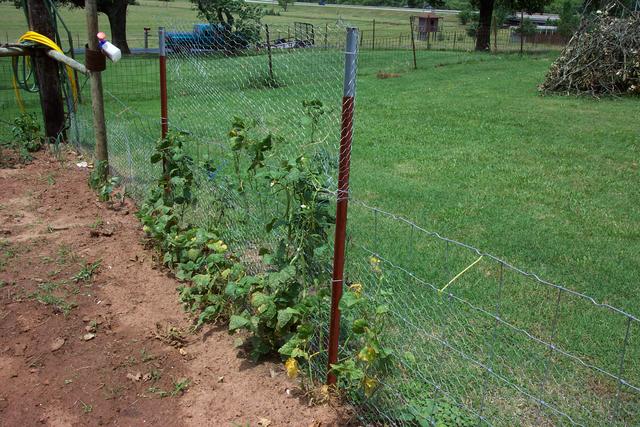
x=112, y=347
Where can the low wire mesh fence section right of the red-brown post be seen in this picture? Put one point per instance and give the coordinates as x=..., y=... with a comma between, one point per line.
x=482, y=341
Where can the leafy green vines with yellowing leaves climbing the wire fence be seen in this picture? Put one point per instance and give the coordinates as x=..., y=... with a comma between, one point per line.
x=277, y=306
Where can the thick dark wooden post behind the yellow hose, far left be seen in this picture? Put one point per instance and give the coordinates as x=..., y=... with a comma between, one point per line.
x=47, y=73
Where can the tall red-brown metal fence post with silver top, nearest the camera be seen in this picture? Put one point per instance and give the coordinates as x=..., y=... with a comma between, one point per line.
x=346, y=136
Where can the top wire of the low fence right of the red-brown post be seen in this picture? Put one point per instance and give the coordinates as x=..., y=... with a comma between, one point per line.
x=504, y=263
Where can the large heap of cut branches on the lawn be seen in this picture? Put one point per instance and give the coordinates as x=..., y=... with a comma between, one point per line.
x=602, y=58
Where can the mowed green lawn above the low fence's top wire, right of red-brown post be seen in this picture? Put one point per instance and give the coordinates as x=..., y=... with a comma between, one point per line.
x=466, y=146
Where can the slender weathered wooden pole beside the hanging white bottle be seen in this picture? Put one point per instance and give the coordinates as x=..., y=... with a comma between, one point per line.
x=97, y=101
